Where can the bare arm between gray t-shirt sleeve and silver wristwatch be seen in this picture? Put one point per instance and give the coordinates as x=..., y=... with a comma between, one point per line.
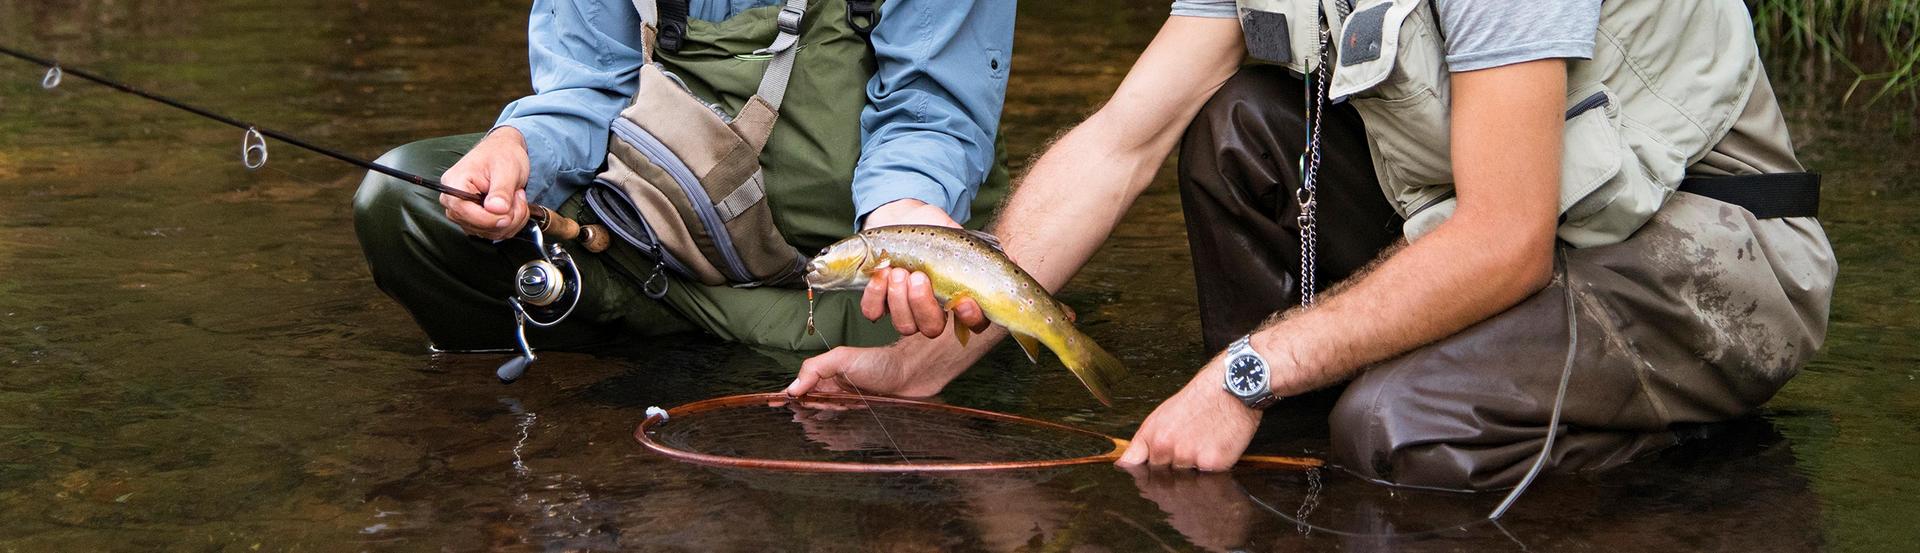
x=1495, y=252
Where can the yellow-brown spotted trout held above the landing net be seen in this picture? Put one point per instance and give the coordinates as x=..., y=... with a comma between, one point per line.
x=971, y=266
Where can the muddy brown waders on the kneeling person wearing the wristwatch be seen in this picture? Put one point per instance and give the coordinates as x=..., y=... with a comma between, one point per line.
x=1700, y=318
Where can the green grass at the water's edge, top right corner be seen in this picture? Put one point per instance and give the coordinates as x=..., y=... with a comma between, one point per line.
x=1877, y=41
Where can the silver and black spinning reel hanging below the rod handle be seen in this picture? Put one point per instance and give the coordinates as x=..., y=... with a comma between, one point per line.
x=546, y=291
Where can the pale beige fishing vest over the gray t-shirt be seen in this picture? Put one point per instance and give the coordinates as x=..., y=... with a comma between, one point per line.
x=1666, y=84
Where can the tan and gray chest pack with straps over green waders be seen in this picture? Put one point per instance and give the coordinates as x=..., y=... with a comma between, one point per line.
x=684, y=183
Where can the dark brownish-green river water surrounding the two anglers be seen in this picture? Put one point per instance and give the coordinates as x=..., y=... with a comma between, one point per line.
x=195, y=356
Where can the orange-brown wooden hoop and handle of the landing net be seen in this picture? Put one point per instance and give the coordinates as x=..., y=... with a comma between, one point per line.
x=642, y=435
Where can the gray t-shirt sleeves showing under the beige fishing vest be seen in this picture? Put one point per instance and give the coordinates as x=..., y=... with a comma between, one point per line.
x=1485, y=34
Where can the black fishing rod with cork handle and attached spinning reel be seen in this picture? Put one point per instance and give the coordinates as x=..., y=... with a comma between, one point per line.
x=546, y=291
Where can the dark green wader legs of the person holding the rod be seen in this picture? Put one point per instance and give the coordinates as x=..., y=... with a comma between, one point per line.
x=458, y=287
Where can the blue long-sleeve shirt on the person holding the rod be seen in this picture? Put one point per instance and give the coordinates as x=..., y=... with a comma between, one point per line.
x=926, y=133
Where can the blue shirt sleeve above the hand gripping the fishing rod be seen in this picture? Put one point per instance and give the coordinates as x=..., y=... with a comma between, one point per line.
x=585, y=60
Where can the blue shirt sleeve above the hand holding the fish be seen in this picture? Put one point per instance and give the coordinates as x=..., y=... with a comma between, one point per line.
x=934, y=103
